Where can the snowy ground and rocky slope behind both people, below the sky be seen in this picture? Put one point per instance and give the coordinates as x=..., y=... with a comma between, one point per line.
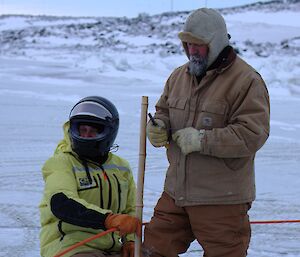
x=43, y=73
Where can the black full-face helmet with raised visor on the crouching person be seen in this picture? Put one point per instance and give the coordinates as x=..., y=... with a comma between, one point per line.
x=100, y=113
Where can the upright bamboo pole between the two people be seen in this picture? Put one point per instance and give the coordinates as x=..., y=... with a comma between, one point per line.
x=141, y=172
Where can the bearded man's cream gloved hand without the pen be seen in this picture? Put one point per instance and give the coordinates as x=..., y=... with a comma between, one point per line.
x=189, y=139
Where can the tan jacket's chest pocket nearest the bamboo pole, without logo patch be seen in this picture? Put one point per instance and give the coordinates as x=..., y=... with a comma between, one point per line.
x=176, y=112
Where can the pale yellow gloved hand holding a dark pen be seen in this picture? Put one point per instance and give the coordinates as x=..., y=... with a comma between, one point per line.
x=157, y=134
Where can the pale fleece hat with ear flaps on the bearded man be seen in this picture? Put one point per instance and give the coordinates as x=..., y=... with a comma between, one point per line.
x=205, y=26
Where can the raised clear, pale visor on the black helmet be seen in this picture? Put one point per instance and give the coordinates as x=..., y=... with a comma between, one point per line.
x=93, y=109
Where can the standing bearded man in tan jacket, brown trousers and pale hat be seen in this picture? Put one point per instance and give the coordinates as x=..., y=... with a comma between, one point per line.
x=213, y=116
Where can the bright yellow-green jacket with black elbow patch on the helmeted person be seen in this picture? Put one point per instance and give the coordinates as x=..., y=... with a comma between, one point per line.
x=94, y=191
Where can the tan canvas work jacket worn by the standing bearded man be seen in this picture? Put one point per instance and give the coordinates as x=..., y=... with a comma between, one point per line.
x=232, y=104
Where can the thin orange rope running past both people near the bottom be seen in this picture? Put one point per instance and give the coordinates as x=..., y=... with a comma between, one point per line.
x=114, y=229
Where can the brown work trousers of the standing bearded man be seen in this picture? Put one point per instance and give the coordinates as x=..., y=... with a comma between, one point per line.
x=221, y=230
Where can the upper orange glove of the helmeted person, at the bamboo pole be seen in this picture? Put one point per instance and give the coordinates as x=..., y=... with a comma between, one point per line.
x=125, y=223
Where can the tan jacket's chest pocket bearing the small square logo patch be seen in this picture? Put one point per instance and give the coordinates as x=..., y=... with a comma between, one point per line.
x=212, y=115
